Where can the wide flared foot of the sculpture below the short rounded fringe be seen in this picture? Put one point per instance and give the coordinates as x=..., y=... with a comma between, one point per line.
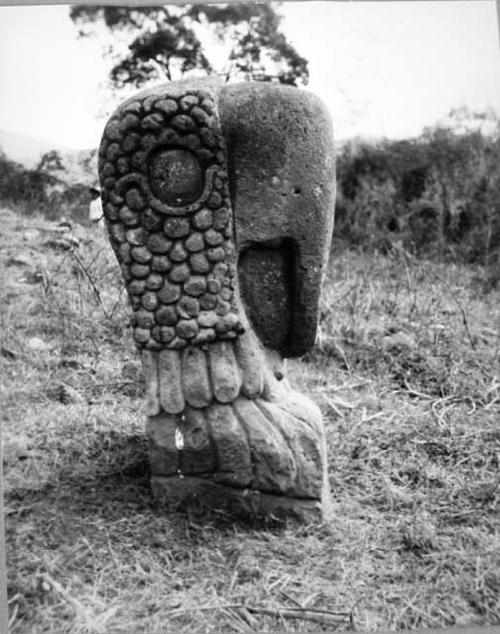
x=251, y=448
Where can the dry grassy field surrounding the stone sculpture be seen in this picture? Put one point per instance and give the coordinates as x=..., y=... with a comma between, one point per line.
x=407, y=374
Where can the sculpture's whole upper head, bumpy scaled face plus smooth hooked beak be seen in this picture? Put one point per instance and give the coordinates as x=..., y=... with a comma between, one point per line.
x=210, y=188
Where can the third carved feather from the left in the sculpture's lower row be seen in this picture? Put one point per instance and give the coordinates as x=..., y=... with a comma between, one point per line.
x=232, y=448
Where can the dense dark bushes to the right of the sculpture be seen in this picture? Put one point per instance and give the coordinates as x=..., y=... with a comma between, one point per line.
x=438, y=194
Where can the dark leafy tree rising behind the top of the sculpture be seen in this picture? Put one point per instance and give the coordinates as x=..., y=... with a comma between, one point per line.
x=171, y=42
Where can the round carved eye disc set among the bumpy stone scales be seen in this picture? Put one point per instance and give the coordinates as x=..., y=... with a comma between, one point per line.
x=175, y=177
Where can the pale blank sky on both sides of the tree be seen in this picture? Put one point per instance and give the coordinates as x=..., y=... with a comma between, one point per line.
x=382, y=68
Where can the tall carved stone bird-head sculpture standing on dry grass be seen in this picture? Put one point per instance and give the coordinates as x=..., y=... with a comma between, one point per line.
x=218, y=200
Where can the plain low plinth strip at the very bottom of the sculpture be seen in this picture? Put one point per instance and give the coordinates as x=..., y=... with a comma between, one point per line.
x=183, y=491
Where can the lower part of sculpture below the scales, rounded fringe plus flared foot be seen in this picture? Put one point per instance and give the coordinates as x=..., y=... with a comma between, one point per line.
x=238, y=425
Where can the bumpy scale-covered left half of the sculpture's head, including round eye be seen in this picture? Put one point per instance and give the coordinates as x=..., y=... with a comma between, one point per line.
x=164, y=153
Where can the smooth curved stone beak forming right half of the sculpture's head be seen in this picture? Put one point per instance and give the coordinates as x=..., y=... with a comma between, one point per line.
x=281, y=171
